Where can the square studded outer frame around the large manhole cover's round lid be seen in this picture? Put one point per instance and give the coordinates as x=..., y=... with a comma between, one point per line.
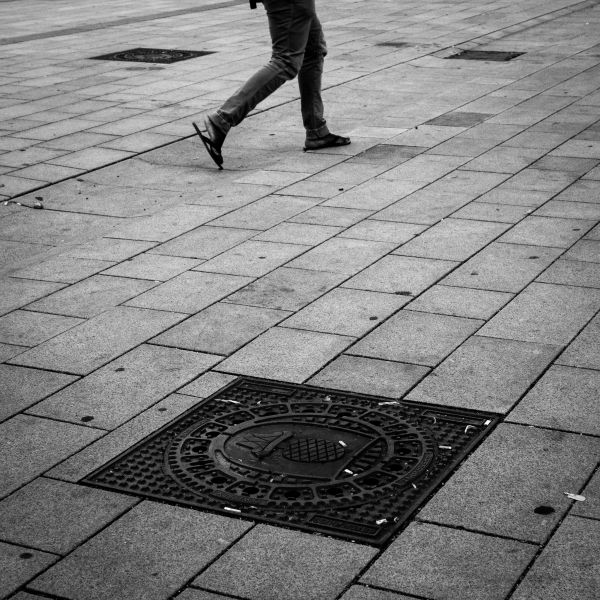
x=333, y=521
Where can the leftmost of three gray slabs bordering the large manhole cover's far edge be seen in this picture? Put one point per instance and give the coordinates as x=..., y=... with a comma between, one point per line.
x=286, y=354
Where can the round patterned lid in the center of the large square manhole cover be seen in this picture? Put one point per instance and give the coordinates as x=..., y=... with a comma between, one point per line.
x=303, y=455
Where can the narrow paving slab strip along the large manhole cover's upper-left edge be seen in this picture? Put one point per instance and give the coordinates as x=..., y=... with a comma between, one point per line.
x=117, y=441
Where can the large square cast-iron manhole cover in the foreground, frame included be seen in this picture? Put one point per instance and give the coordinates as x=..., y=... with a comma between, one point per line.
x=343, y=464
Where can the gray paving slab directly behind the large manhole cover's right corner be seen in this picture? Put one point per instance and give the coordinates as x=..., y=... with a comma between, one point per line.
x=486, y=374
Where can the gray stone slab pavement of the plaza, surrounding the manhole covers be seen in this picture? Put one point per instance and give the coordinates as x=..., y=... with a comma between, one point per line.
x=450, y=255
